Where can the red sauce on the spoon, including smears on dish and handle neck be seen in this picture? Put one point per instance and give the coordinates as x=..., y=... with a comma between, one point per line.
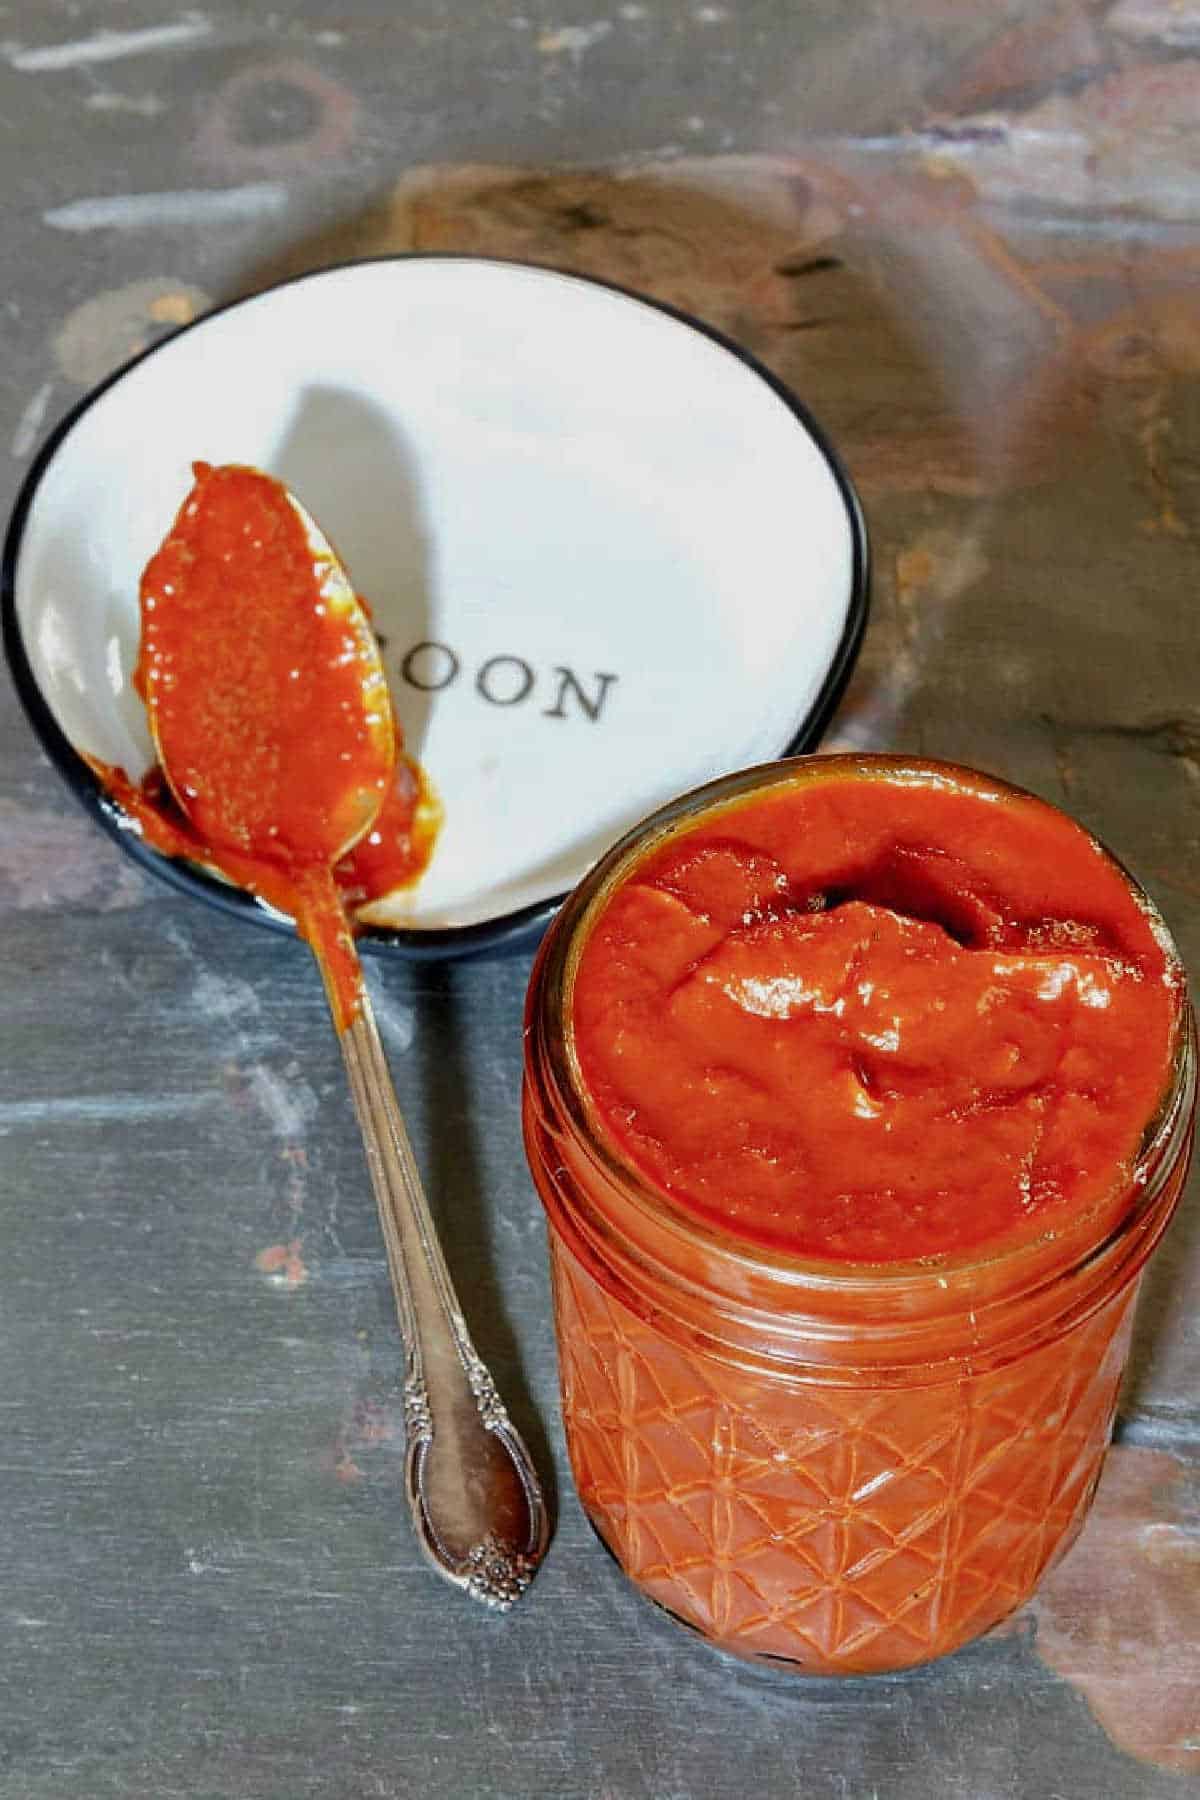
x=271, y=715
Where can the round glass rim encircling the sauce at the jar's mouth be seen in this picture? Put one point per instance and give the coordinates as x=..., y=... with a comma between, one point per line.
x=1082, y=1241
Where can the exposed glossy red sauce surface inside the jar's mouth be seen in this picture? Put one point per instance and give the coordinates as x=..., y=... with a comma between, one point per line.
x=877, y=1020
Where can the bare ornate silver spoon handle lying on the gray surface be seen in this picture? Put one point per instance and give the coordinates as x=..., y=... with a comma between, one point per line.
x=472, y=1488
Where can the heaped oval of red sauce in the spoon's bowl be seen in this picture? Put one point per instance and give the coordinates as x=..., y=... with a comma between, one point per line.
x=267, y=703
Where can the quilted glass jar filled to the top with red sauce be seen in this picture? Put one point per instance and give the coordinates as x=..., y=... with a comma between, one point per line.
x=859, y=1090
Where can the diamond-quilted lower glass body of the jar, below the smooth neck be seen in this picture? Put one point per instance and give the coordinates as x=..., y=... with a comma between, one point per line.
x=846, y=1531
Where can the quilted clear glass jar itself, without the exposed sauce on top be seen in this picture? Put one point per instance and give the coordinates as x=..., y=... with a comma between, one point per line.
x=843, y=1468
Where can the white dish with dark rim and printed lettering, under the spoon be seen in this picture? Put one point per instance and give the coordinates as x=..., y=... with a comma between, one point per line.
x=609, y=555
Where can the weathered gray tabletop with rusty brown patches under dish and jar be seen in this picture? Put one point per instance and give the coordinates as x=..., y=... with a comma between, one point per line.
x=971, y=240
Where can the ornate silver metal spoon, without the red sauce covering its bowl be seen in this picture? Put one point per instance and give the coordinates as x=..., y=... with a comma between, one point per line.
x=476, y=1500
